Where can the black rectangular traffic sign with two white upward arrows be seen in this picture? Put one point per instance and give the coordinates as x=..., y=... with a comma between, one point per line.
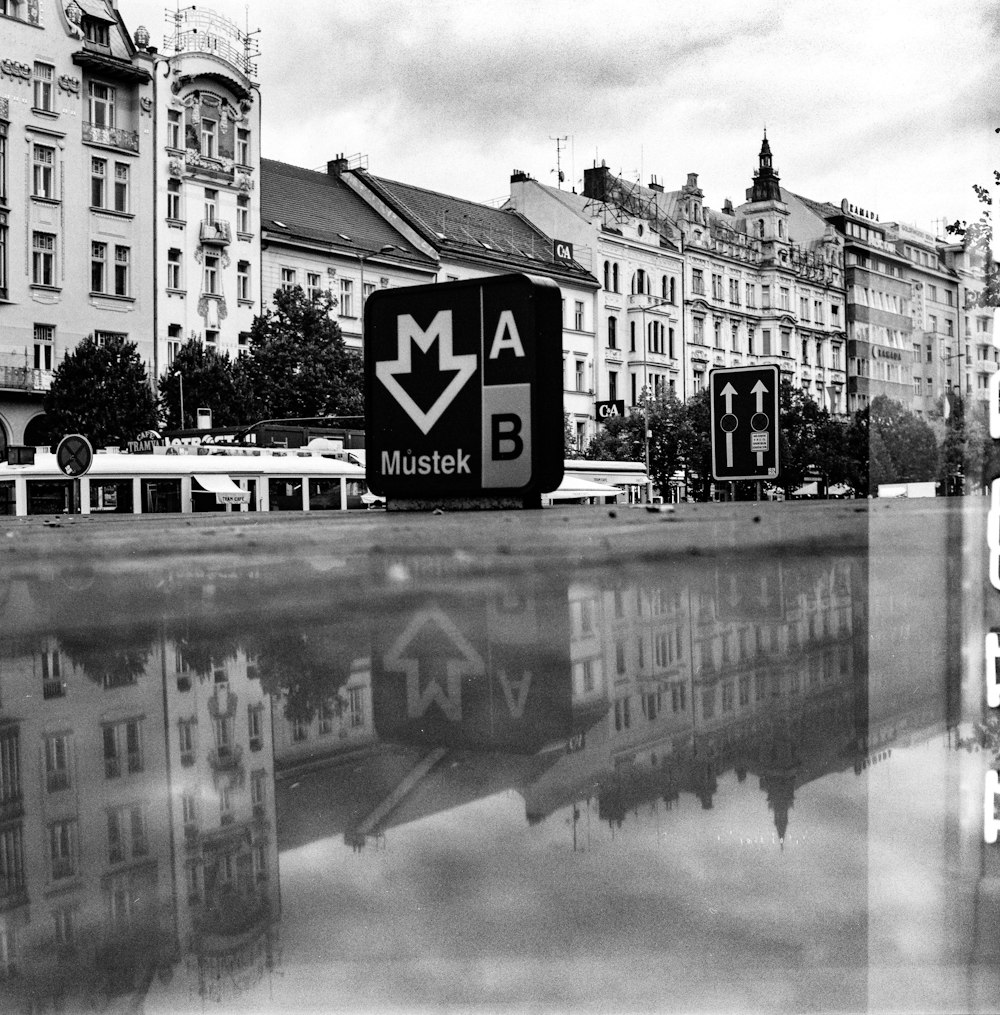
x=745, y=423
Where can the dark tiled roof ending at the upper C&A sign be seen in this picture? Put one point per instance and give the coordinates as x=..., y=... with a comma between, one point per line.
x=466, y=229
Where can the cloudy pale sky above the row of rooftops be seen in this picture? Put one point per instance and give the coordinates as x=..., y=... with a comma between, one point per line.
x=893, y=106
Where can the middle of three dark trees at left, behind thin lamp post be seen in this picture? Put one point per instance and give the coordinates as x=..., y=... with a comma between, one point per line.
x=210, y=379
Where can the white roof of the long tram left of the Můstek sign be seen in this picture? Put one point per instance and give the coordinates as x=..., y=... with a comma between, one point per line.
x=124, y=465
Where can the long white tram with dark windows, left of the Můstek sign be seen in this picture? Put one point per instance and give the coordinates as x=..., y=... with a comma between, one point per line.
x=182, y=479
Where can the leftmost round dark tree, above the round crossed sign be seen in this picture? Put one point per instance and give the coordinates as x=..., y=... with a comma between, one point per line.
x=102, y=391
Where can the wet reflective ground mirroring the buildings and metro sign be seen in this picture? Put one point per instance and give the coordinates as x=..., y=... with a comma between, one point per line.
x=579, y=760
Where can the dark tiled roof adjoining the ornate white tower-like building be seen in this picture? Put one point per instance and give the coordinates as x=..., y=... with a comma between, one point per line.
x=311, y=206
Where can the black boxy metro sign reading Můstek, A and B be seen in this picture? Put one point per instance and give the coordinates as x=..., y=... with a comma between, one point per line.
x=463, y=388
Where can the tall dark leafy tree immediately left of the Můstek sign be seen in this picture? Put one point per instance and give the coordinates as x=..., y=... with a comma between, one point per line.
x=298, y=364
